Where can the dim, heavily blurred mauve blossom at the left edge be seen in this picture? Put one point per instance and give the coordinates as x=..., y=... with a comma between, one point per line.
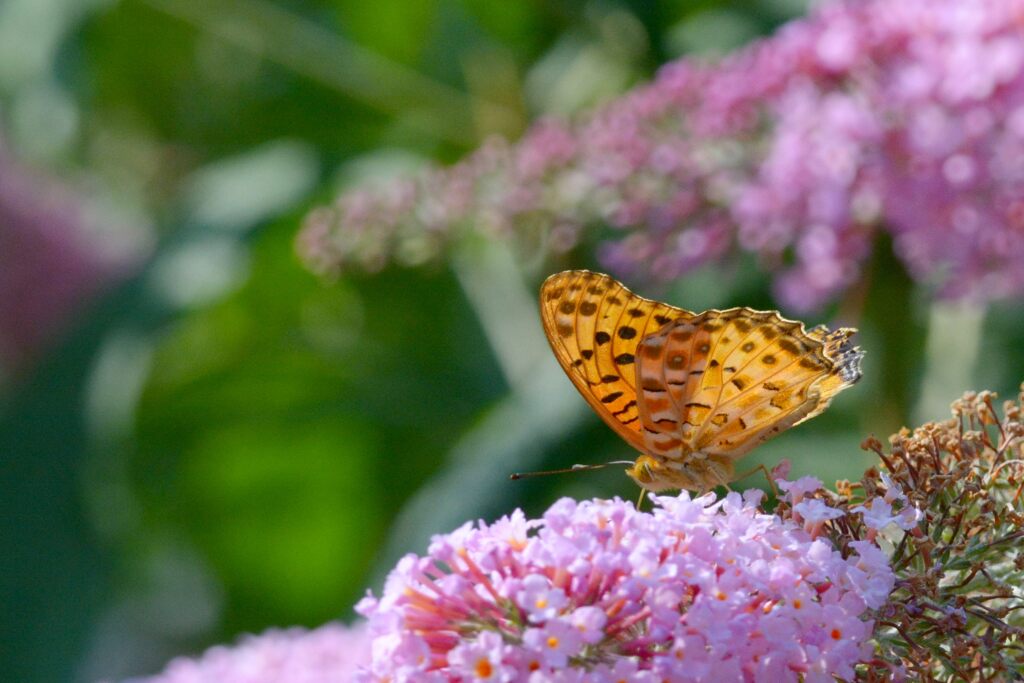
x=50, y=267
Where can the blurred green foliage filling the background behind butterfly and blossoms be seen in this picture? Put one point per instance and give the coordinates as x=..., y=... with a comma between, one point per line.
x=226, y=444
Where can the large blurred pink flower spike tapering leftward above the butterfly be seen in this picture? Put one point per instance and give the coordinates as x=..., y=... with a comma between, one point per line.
x=868, y=115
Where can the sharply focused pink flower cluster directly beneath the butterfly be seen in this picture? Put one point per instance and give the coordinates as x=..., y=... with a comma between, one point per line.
x=697, y=590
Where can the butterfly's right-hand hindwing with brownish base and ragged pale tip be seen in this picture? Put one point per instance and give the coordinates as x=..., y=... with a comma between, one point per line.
x=724, y=381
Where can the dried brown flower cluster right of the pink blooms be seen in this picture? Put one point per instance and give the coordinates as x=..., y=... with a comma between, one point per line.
x=956, y=611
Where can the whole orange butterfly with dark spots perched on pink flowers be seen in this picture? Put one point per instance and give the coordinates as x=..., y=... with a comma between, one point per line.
x=693, y=393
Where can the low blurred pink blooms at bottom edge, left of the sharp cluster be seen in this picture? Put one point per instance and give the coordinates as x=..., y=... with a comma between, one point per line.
x=327, y=655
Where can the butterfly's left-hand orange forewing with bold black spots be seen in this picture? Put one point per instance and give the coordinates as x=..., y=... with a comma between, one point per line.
x=594, y=326
